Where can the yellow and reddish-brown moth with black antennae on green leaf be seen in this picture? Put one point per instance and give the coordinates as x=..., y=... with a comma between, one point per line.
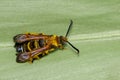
x=31, y=46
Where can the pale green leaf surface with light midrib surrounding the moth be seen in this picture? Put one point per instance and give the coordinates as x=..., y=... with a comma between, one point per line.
x=96, y=33
